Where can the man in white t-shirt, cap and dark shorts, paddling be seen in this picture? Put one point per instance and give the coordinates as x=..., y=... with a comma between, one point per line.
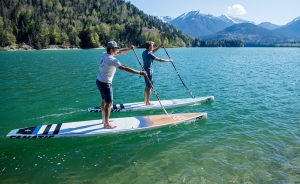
x=107, y=70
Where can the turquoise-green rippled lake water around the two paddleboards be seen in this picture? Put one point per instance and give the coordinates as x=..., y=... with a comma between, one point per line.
x=252, y=134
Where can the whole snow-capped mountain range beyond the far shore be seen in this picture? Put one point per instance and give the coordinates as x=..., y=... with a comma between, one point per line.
x=201, y=24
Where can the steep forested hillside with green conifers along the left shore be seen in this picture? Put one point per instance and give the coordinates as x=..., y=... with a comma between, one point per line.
x=82, y=23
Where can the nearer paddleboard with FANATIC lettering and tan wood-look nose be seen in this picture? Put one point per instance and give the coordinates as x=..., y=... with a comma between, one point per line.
x=95, y=127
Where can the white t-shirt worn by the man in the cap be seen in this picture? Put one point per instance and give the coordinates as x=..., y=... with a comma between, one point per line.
x=107, y=68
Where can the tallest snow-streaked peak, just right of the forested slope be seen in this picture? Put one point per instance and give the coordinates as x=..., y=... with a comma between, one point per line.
x=199, y=23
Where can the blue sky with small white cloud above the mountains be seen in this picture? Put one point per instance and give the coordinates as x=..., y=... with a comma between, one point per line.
x=277, y=12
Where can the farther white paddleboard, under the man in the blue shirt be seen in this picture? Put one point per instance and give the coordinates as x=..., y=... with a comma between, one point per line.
x=140, y=106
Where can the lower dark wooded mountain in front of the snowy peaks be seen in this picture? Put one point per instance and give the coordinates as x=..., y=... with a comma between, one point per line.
x=248, y=33
